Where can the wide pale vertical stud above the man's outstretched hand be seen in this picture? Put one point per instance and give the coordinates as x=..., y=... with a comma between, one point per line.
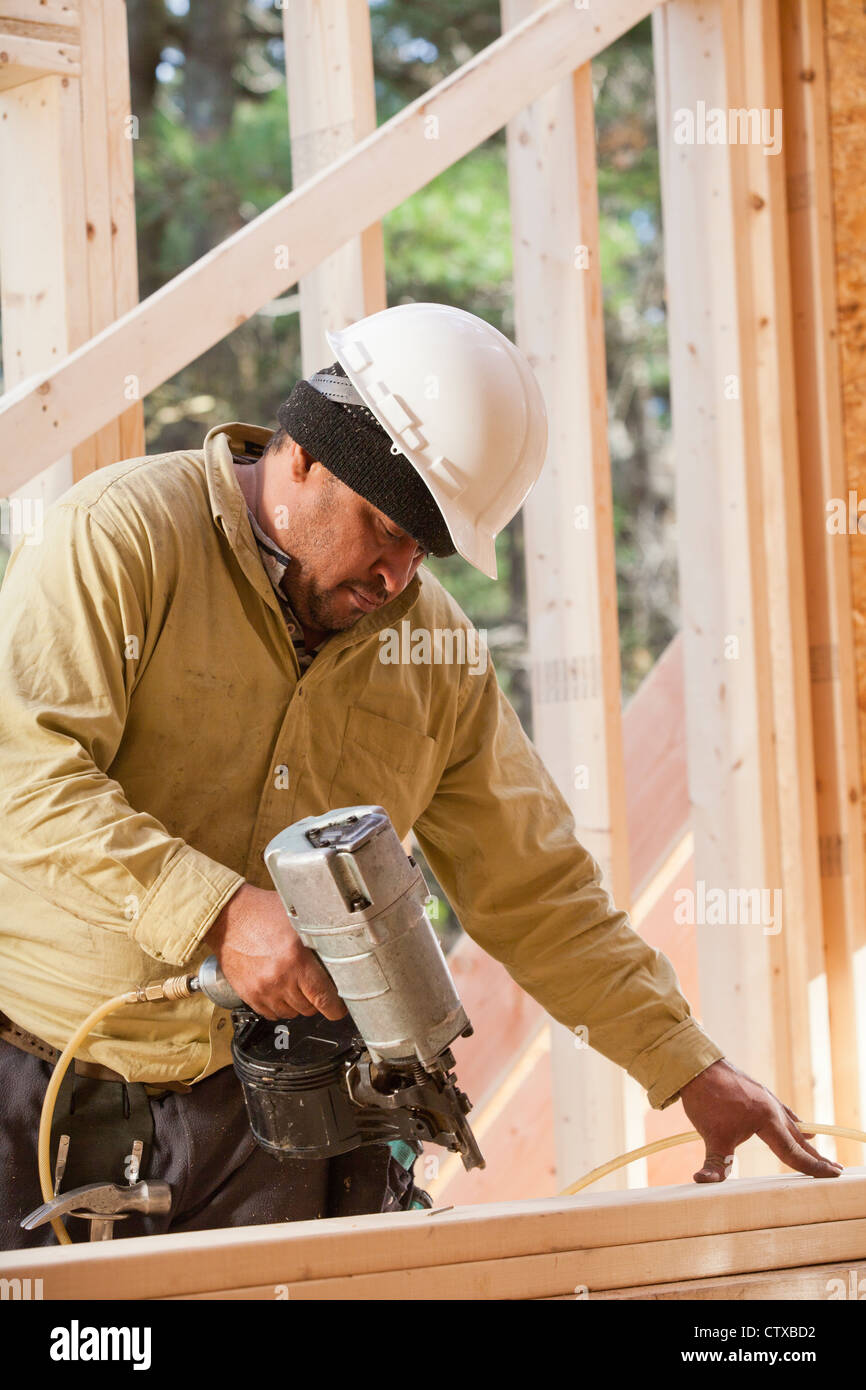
x=725, y=755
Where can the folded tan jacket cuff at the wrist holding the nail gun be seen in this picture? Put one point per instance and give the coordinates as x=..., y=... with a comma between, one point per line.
x=183, y=906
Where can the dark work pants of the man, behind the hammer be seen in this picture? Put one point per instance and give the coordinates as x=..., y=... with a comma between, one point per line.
x=205, y=1149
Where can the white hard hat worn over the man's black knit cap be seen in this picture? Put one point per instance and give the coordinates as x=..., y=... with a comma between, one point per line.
x=462, y=404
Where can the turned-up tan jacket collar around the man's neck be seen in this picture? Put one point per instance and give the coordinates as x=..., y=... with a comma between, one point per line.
x=229, y=511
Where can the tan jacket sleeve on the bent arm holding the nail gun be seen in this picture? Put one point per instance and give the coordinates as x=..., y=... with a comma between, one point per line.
x=73, y=618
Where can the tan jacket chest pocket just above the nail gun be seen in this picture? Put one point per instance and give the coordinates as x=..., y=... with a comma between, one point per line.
x=384, y=764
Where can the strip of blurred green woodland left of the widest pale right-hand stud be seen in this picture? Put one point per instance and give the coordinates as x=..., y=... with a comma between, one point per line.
x=636, y=332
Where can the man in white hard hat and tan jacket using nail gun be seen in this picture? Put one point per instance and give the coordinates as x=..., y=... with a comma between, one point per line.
x=193, y=661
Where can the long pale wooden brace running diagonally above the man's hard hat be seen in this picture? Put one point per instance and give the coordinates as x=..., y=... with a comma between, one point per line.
x=48, y=415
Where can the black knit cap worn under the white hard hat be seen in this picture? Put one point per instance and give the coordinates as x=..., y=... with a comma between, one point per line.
x=352, y=445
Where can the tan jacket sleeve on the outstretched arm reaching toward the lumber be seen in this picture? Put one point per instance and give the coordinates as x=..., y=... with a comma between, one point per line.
x=501, y=840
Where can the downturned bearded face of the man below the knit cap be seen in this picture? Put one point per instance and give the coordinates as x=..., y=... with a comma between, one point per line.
x=348, y=558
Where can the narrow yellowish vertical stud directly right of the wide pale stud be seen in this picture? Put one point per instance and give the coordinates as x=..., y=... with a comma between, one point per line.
x=771, y=414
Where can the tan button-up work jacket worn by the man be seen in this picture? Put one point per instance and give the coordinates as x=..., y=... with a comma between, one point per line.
x=156, y=732
